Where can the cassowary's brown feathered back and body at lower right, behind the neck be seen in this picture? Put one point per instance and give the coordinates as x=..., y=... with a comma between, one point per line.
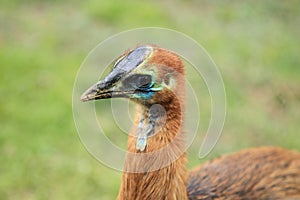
x=257, y=173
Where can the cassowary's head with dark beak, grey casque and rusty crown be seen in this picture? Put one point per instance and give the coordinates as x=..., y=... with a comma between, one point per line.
x=146, y=74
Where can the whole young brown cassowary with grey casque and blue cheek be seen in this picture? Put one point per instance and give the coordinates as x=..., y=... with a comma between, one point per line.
x=155, y=165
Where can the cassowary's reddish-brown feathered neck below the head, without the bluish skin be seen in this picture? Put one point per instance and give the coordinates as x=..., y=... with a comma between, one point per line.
x=159, y=171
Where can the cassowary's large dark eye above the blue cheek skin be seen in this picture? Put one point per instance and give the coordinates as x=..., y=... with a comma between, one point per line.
x=138, y=81
